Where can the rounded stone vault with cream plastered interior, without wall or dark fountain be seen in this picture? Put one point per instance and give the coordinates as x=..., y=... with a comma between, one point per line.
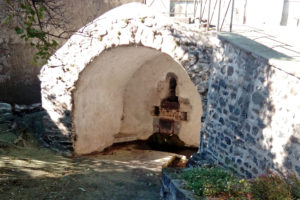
x=92, y=87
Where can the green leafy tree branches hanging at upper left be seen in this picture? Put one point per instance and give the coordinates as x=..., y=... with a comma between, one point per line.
x=38, y=22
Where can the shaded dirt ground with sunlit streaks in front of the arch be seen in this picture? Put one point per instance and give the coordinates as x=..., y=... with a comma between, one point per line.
x=125, y=172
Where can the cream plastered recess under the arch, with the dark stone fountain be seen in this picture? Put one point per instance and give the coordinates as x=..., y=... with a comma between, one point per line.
x=129, y=93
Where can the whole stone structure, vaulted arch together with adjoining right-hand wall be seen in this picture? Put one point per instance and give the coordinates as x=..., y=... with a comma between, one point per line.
x=248, y=106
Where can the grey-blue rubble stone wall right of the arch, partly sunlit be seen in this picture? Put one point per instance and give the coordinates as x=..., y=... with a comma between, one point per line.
x=251, y=122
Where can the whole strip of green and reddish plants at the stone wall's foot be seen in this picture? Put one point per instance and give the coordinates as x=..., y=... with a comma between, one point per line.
x=218, y=182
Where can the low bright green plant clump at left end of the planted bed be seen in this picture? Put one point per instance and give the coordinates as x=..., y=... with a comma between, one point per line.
x=215, y=182
